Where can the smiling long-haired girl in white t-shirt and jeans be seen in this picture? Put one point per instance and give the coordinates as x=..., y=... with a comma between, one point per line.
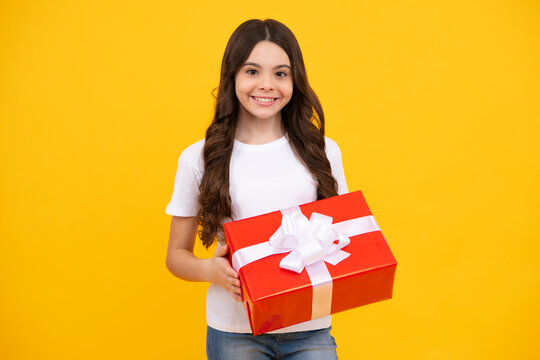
x=265, y=150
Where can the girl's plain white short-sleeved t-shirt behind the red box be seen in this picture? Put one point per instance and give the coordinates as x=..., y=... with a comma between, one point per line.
x=262, y=178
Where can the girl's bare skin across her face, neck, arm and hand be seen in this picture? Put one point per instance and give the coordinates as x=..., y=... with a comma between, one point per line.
x=266, y=73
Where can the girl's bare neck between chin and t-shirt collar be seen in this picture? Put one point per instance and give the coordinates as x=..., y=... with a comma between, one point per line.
x=252, y=130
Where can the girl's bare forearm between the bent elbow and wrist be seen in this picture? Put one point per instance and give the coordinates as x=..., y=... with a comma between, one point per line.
x=184, y=264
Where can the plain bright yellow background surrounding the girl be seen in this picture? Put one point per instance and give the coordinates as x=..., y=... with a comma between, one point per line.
x=435, y=105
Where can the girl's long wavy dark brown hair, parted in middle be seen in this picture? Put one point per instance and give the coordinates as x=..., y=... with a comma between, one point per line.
x=302, y=117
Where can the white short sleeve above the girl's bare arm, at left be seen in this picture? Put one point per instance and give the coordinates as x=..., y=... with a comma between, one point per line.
x=184, y=200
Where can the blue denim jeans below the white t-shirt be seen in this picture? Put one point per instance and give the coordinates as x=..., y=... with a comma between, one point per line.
x=301, y=345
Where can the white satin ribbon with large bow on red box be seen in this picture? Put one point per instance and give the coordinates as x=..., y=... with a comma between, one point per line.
x=310, y=244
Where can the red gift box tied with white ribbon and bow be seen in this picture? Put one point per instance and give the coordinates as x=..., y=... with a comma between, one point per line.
x=276, y=297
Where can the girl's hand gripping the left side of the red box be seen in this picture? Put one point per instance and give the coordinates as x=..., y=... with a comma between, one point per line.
x=223, y=274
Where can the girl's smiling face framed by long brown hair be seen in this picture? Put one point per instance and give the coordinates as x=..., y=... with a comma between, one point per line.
x=264, y=83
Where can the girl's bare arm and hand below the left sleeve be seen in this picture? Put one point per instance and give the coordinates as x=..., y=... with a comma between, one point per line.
x=182, y=263
